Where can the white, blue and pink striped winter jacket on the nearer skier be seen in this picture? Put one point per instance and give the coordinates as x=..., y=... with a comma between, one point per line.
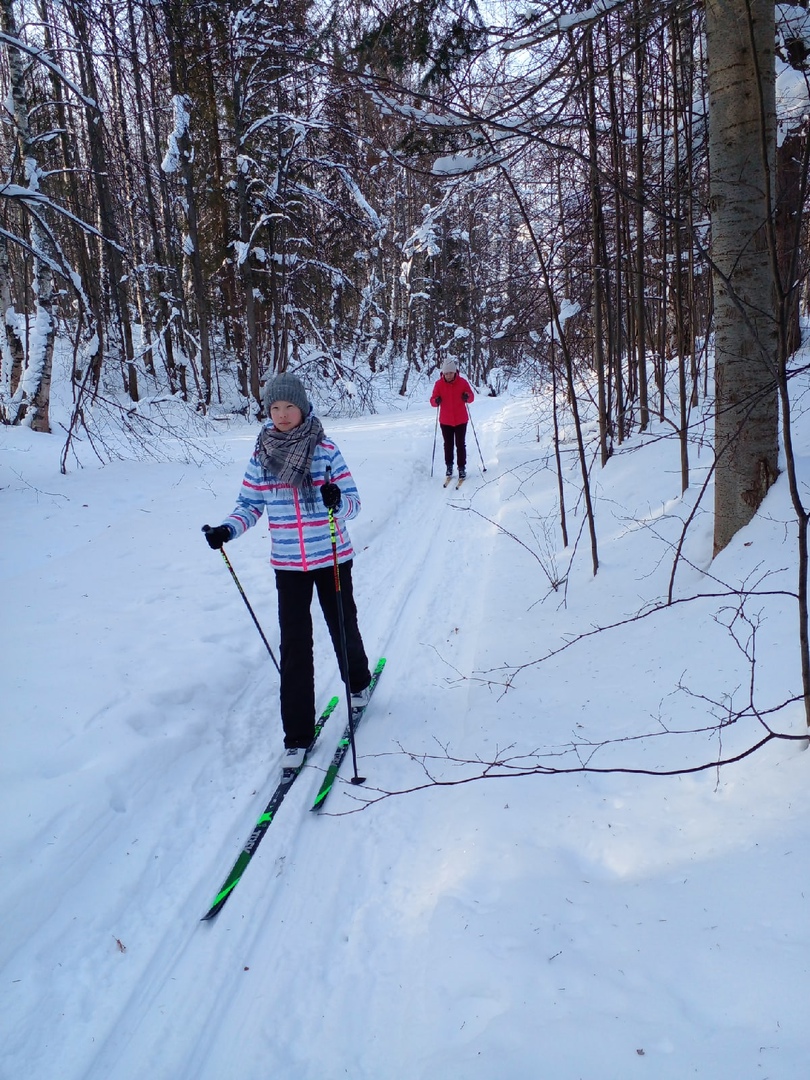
x=300, y=537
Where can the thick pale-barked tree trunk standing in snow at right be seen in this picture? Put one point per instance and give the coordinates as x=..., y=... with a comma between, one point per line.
x=740, y=36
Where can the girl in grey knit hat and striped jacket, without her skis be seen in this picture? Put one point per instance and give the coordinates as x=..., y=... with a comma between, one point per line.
x=296, y=476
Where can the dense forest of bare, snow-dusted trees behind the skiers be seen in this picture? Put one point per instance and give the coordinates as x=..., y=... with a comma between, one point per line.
x=199, y=193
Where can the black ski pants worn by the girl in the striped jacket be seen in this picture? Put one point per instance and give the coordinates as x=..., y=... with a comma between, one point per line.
x=298, y=667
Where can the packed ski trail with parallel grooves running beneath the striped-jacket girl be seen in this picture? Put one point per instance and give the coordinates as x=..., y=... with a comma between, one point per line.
x=418, y=585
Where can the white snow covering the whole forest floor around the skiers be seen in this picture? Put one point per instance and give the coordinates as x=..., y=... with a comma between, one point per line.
x=572, y=924
